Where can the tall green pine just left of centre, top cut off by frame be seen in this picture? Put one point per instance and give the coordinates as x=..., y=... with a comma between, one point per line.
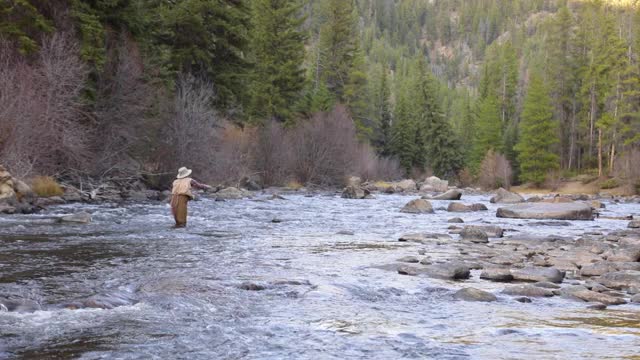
x=278, y=52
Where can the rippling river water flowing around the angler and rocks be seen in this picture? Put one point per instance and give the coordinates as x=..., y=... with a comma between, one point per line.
x=325, y=294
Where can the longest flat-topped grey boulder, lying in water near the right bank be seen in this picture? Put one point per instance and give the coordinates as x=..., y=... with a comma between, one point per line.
x=556, y=211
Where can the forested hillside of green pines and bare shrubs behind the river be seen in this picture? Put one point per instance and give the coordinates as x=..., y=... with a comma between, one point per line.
x=488, y=91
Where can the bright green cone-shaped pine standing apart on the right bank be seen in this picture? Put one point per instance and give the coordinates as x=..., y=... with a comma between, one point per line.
x=537, y=134
